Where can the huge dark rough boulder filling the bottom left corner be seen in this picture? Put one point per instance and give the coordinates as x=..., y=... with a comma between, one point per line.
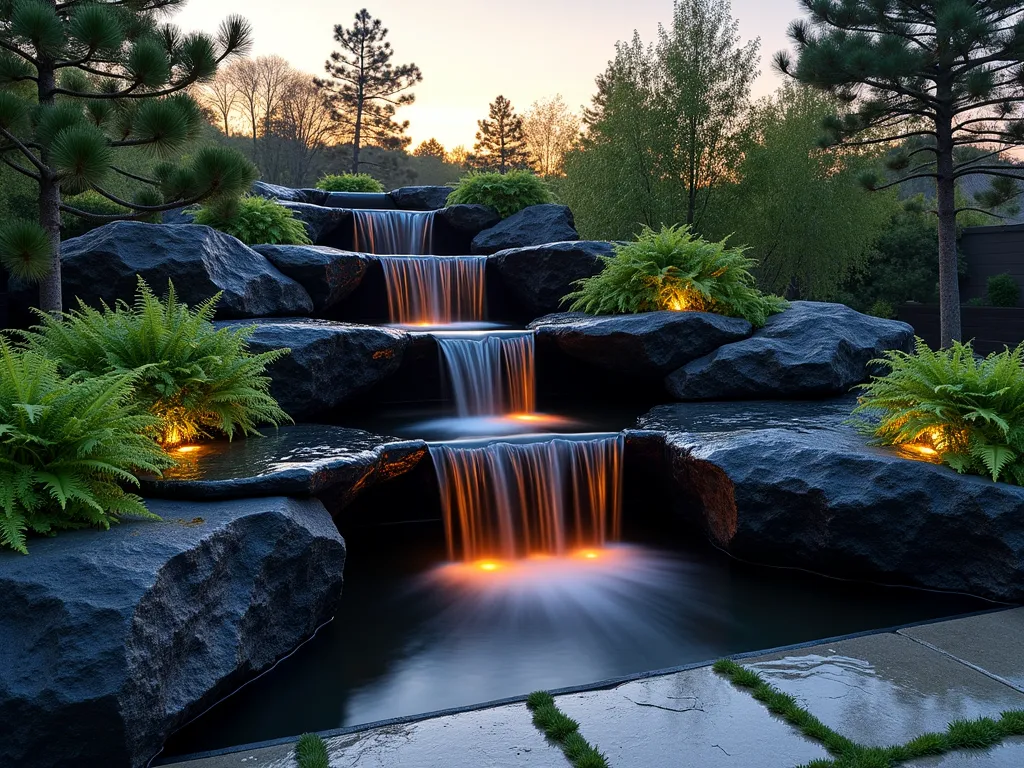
x=113, y=641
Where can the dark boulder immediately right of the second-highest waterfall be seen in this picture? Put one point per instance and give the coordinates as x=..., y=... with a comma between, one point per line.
x=538, y=278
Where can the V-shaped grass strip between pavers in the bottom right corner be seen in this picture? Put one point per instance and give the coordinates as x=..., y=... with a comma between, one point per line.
x=962, y=735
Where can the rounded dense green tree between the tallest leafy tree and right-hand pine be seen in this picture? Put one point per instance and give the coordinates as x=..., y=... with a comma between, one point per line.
x=799, y=208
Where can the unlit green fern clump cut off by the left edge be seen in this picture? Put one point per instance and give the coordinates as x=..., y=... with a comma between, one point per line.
x=67, y=446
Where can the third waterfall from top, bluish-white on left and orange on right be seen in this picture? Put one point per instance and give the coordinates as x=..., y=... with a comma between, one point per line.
x=491, y=374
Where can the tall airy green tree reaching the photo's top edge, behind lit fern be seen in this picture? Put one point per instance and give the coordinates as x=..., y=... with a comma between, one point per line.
x=663, y=130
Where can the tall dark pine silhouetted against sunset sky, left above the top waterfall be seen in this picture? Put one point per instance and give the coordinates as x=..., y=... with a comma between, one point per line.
x=367, y=88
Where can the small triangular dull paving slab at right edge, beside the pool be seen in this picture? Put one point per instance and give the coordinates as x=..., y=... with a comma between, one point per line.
x=994, y=643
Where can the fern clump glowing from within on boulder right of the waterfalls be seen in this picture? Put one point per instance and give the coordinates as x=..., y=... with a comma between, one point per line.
x=675, y=270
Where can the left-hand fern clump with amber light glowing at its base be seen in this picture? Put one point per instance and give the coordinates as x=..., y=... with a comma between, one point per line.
x=196, y=379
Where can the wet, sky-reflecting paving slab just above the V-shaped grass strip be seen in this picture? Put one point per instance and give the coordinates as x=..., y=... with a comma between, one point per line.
x=885, y=690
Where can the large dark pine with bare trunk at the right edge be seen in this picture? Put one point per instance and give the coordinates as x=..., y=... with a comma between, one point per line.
x=947, y=73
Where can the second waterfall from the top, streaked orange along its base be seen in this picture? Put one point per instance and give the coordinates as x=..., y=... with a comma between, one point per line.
x=436, y=290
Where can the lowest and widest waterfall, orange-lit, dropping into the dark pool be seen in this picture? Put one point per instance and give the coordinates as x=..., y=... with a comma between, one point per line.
x=513, y=500
